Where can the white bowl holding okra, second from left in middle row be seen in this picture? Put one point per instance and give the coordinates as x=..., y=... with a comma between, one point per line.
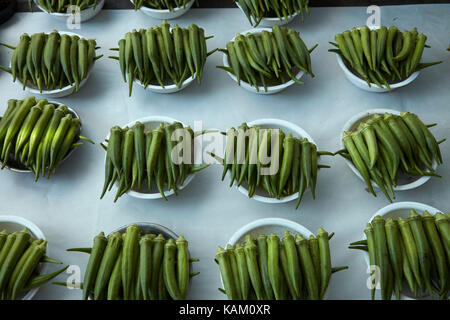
x=150, y=123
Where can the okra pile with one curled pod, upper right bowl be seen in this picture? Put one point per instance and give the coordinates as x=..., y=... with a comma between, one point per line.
x=382, y=56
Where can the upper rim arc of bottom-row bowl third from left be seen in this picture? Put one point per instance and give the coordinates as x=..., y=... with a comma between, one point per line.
x=281, y=222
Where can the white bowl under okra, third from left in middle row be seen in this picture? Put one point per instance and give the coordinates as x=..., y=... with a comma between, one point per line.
x=287, y=127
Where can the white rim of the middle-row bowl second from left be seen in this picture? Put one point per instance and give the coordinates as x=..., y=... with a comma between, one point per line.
x=157, y=195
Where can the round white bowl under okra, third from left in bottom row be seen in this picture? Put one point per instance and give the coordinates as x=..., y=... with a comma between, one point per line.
x=267, y=226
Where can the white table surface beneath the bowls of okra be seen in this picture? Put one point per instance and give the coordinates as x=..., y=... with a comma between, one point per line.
x=67, y=207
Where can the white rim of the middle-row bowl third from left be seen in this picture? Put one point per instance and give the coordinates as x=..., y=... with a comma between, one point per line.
x=300, y=132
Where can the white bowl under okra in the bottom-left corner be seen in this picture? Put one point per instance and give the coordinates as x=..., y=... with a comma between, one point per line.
x=15, y=223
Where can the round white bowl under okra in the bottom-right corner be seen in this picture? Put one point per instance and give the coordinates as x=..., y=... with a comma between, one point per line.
x=397, y=210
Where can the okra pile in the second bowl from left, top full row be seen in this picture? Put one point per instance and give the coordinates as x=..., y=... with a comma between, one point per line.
x=163, y=55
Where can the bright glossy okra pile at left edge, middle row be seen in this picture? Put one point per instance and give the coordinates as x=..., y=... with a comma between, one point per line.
x=38, y=135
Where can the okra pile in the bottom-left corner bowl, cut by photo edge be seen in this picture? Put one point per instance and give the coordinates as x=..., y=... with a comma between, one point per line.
x=20, y=257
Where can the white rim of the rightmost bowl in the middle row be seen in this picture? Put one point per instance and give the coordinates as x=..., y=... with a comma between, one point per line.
x=412, y=185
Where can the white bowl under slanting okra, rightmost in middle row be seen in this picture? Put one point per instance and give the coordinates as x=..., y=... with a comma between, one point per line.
x=405, y=182
